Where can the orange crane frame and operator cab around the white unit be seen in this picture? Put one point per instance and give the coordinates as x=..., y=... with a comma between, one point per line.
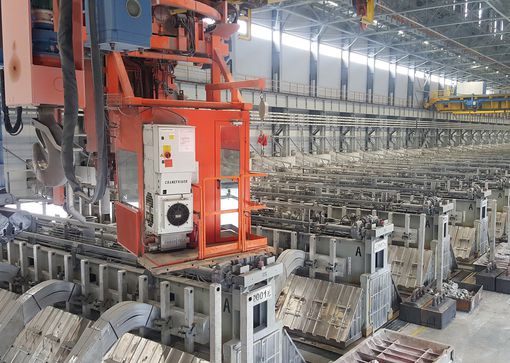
x=127, y=113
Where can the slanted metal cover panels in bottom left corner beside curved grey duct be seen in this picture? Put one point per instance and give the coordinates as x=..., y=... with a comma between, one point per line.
x=48, y=337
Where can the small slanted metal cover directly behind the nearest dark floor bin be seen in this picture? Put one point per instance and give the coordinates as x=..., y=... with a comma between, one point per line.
x=404, y=266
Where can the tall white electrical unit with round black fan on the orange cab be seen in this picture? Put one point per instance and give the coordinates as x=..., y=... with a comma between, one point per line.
x=170, y=168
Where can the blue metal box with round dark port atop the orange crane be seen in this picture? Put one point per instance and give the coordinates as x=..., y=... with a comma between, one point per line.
x=123, y=25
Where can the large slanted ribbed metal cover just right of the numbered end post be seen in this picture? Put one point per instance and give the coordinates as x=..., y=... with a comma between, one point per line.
x=319, y=309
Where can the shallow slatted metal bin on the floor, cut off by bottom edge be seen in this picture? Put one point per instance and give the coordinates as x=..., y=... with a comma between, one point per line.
x=392, y=347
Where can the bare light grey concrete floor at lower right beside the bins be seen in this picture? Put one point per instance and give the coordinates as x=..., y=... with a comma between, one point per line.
x=479, y=337
